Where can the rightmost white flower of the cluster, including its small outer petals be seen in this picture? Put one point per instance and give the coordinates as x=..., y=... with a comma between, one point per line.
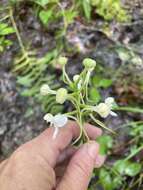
x=105, y=109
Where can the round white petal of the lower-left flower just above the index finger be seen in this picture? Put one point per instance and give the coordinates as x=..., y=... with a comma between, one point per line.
x=60, y=120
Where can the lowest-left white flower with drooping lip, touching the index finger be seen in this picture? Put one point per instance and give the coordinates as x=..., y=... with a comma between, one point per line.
x=56, y=121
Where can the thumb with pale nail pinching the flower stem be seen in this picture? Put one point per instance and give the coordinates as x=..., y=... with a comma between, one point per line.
x=79, y=170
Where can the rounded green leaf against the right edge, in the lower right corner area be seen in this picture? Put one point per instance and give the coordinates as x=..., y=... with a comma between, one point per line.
x=133, y=169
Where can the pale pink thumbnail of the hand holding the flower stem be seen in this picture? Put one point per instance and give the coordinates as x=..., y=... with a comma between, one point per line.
x=93, y=149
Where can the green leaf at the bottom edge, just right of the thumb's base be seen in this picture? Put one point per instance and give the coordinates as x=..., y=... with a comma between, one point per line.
x=105, y=179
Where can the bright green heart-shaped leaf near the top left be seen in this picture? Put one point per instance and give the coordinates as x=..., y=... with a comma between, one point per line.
x=45, y=16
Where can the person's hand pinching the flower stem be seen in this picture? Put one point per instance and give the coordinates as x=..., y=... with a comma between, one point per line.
x=47, y=164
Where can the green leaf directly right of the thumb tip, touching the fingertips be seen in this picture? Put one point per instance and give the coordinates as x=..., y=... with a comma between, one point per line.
x=106, y=143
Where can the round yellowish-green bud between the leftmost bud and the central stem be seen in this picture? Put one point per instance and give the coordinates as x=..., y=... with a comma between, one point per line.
x=61, y=95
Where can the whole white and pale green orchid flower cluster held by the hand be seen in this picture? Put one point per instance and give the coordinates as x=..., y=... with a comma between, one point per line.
x=77, y=93
